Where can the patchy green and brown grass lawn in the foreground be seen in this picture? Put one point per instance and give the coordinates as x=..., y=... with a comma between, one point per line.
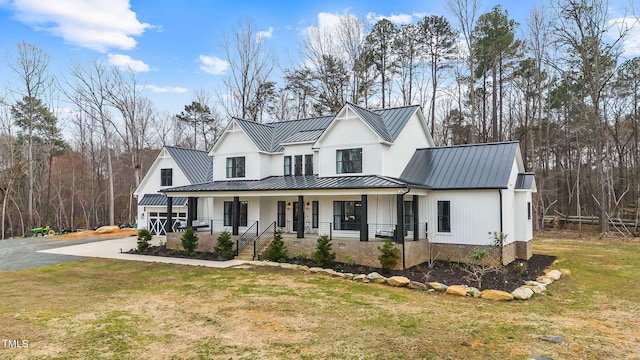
x=109, y=309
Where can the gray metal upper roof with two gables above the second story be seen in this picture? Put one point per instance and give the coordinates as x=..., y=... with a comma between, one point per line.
x=388, y=123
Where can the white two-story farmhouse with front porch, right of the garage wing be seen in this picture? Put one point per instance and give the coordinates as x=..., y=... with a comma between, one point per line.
x=361, y=176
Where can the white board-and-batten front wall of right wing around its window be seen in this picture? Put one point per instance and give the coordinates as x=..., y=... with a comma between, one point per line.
x=475, y=216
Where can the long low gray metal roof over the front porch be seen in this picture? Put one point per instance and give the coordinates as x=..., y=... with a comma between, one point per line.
x=306, y=182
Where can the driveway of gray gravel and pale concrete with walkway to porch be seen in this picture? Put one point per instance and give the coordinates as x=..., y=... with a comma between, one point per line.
x=17, y=254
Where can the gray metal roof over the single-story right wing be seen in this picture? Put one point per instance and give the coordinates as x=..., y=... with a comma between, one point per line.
x=478, y=166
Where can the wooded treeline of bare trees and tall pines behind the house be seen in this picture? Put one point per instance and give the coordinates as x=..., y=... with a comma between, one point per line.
x=557, y=83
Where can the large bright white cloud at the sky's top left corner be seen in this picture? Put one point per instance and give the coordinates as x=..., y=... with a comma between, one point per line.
x=95, y=24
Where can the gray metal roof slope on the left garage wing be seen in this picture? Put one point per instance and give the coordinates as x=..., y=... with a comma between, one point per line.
x=196, y=165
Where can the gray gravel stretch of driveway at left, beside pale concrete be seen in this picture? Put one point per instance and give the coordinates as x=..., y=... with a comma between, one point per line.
x=17, y=254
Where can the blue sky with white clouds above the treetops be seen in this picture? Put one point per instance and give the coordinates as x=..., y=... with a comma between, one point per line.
x=176, y=47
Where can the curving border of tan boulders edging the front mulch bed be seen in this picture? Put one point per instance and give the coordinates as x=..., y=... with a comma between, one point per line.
x=524, y=292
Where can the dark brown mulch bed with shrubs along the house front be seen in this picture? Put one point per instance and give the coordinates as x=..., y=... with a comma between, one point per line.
x=507, y=278
